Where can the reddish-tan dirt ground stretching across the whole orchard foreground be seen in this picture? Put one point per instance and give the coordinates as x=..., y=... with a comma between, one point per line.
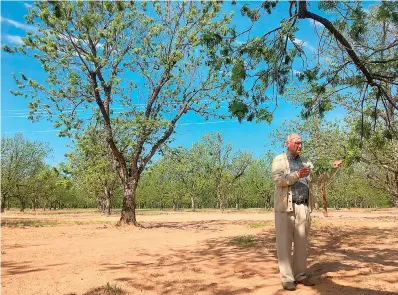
x=82, y=253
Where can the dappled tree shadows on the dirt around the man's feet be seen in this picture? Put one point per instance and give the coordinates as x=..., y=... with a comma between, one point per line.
x=340, y=260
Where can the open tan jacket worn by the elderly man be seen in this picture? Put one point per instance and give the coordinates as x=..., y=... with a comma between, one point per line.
x=284, y=179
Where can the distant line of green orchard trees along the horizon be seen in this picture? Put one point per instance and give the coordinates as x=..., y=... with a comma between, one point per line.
x=209, y=175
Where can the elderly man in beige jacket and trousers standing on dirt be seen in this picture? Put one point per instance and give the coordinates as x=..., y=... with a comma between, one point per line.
x=293, y=204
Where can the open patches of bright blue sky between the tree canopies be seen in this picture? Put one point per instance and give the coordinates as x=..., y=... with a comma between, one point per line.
x=251, y=137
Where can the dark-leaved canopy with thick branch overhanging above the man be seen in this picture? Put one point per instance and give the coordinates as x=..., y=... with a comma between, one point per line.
x=349, y=56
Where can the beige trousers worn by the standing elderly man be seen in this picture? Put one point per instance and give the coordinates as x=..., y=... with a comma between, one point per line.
x=292, y=227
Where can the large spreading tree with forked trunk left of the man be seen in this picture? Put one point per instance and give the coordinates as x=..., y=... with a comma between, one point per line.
x=138, y=65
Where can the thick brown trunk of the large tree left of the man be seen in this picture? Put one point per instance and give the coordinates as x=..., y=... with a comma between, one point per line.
x=129, y=203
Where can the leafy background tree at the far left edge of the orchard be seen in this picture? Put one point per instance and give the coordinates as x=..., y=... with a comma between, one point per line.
x=21, y=162
